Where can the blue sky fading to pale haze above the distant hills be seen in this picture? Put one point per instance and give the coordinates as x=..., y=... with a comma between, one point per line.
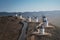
x=29, y=5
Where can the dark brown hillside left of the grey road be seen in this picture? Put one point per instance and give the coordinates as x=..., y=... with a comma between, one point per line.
x=10, y=28
